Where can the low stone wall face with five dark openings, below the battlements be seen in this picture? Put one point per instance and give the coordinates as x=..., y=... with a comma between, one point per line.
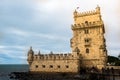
x=70, y=65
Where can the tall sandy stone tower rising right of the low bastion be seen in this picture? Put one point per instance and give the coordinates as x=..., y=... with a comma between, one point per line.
x=88, y=37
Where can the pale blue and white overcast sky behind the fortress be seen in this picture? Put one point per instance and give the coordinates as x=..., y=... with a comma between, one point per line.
x=46, y=26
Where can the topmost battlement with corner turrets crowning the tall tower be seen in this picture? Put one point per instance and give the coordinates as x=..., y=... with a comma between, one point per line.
x=87, y=13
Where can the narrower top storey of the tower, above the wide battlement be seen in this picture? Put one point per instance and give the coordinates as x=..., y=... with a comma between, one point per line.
x=89, y=17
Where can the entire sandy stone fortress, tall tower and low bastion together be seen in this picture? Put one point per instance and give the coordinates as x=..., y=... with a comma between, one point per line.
x=88, y=47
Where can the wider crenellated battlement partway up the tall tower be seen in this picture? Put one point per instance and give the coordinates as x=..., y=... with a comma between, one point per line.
x=87, y=24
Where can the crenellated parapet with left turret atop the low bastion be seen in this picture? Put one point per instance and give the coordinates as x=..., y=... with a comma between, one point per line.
x=51, y=56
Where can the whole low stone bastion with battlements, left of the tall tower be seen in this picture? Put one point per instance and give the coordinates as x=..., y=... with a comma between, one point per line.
x=53, y=62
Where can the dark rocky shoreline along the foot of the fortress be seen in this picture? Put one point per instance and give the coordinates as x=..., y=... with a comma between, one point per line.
x=63, y=76
